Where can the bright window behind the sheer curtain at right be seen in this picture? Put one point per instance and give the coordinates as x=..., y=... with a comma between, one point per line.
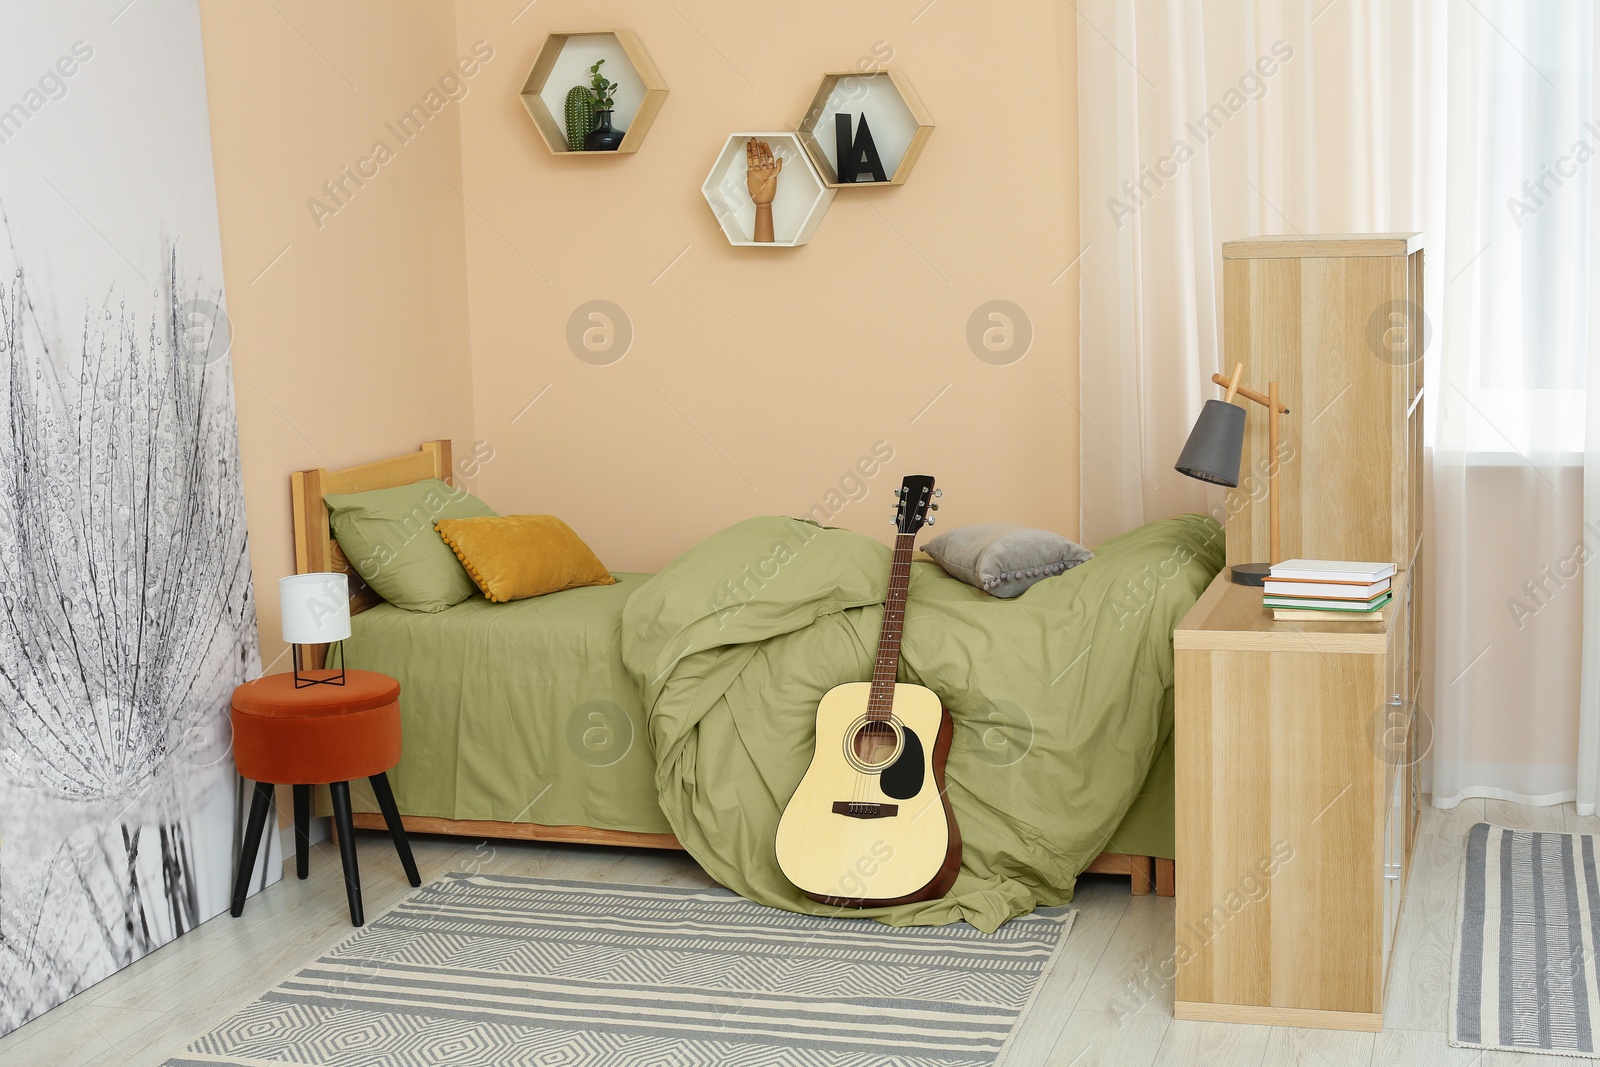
x=1522, y=162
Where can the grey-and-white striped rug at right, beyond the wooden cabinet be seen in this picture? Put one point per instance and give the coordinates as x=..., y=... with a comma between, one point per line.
x=1526, y=956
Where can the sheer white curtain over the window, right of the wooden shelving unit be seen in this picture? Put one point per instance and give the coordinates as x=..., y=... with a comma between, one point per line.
x=1508, y=406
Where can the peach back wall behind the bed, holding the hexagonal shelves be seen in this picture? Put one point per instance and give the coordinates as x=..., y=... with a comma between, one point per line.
x=758, y=378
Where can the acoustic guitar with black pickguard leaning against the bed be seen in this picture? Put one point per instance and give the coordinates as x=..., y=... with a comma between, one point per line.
x=870, y=825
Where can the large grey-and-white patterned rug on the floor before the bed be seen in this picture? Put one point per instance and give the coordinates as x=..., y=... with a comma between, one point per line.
x=498, y=970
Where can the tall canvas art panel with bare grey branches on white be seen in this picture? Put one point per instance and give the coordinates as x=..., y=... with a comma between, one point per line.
x=126, y=605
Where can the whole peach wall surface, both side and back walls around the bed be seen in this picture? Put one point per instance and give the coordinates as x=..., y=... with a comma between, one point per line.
x=758, y=378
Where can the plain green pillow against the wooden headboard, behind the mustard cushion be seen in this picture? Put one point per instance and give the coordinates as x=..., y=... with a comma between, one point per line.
x=388, y=537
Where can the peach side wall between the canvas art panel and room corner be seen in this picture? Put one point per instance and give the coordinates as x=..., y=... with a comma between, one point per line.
x=354, y=343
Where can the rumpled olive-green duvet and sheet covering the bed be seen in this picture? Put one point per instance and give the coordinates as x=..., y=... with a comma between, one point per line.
x=684, y=703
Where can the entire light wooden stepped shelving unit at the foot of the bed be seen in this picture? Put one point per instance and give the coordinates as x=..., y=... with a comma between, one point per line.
x=1297, y=743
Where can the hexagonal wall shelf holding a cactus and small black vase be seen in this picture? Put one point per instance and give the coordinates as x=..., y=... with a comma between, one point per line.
x=566, y=62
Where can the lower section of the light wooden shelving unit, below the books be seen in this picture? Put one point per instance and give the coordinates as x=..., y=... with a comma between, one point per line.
x=1297, y=812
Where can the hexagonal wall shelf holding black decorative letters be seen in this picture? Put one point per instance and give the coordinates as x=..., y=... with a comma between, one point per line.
x=895, y=114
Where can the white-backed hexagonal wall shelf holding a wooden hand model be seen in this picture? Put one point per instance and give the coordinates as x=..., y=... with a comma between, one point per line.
x=798, y=209
